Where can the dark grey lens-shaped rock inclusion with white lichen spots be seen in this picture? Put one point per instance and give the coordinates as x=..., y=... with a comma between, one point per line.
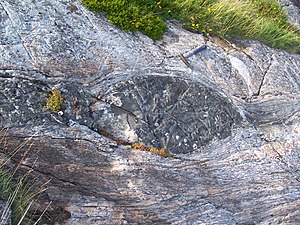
x=173, y=113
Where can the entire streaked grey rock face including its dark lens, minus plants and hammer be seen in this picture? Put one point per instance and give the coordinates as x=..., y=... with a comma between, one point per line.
x=231, y=121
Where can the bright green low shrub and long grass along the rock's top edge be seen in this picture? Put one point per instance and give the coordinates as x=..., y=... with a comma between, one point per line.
x=262, y=20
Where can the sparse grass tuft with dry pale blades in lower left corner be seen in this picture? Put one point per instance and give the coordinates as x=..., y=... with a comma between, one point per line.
x=20, y=192
